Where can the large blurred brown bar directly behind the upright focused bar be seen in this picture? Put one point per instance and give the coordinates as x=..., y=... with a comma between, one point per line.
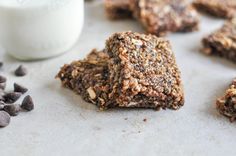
x=162, y=16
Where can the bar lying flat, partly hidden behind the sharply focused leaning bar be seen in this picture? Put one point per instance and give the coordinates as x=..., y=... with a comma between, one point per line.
x=88, y=78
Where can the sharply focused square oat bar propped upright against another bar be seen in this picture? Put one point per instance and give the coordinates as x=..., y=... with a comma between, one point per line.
x=143, y=72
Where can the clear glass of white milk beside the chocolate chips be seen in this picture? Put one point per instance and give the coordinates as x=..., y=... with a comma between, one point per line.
x=39, y=29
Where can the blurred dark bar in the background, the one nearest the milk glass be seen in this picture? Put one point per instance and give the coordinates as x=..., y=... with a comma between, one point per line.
x=118, y=9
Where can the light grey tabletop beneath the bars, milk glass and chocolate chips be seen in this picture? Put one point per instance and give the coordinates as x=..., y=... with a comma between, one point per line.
x=62, y=124
